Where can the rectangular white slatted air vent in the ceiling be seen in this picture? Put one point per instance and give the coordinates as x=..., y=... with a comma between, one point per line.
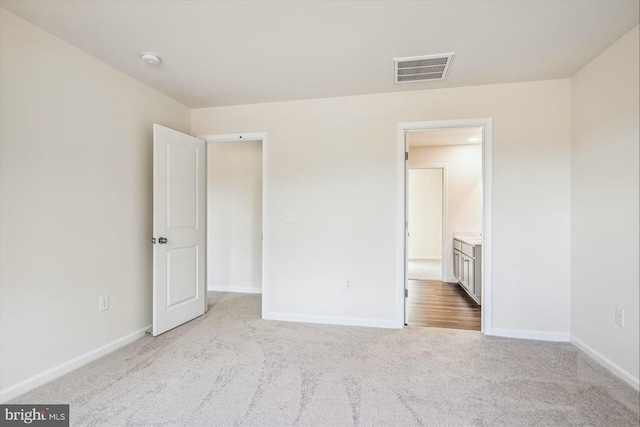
x=422, y=68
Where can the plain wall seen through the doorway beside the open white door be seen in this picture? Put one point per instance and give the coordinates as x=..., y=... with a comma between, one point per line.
x=234, y=216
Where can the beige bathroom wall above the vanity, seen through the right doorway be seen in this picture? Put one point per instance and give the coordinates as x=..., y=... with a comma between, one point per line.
x=464, y=190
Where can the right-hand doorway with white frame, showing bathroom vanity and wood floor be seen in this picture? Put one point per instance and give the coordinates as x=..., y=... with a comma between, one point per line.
x=446, y=223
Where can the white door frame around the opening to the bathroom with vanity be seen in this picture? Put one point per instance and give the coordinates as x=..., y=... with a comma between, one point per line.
x=487, y=196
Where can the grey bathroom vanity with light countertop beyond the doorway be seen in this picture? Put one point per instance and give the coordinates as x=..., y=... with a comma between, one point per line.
x=467, y=264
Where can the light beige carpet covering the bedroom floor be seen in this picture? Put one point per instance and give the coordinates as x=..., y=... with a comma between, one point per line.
x=229, y=368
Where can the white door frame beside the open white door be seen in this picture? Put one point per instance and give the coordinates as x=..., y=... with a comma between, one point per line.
x=254, y=136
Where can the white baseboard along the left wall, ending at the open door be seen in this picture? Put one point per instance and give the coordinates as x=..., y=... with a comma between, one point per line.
x=66, y=367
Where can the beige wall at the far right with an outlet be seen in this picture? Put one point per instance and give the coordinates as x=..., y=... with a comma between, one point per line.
x=604, y=205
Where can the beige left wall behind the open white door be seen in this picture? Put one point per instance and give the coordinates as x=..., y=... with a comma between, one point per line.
x=76, y=200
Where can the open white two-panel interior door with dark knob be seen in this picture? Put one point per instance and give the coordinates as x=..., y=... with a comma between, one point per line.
x=179, y=218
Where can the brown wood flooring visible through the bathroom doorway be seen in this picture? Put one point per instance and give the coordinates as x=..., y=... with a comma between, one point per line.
x=441, y=305
